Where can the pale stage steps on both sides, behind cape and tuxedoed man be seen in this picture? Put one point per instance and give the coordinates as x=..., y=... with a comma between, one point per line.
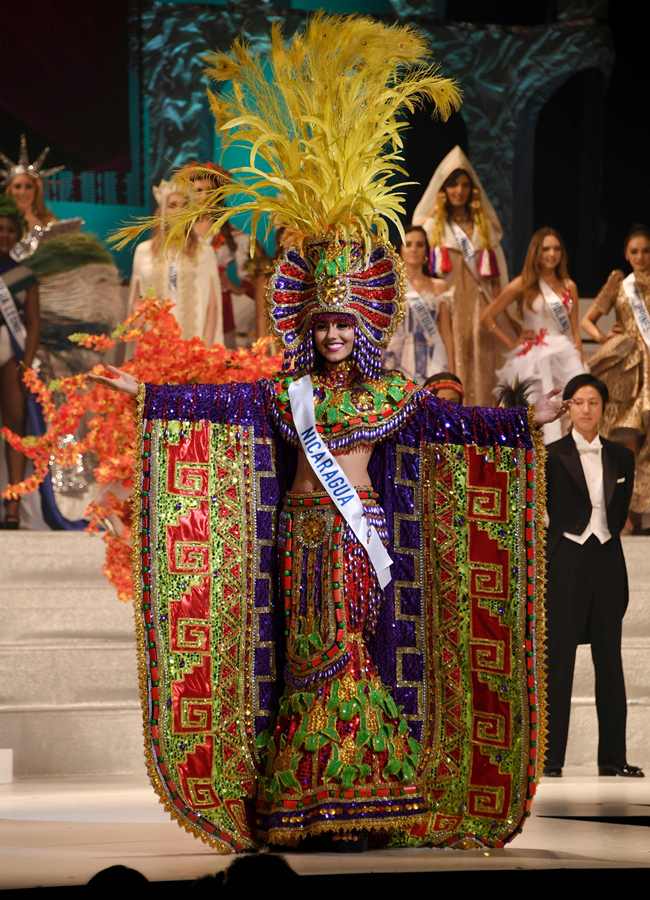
x=68, y=674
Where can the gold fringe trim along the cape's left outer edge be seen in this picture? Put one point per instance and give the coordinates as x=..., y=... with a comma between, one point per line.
x=136, y=558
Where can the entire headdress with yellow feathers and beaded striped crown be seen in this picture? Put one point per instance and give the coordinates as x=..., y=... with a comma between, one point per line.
x=323, y=120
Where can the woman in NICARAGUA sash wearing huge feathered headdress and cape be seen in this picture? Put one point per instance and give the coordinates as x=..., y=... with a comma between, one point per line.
x=338, y=616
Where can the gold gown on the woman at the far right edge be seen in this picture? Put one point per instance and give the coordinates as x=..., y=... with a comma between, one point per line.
x=623, y=363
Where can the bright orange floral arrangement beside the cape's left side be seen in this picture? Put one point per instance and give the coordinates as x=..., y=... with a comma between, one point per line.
x=161, y=356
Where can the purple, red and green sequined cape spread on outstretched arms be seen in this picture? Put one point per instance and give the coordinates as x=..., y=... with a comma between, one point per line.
x=460, y=636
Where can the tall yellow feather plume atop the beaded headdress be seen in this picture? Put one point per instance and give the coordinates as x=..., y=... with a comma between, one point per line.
x=323, y=118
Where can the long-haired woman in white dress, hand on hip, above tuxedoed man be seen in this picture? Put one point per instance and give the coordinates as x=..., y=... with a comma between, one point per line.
x=549, y=352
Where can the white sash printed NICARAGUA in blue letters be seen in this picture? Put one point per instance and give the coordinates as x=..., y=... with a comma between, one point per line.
x=333, y=478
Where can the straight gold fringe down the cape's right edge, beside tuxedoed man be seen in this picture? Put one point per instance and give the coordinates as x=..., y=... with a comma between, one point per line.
x=540, y=589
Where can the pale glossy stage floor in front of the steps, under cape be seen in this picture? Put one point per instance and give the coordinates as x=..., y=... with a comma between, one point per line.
x=61, y=832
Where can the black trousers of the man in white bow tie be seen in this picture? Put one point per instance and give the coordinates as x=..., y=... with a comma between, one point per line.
x=587, y=596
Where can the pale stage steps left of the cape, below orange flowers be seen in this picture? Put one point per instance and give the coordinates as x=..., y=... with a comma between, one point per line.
x=68, y=673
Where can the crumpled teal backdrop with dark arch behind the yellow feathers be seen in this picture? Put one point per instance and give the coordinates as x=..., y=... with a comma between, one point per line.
x=507, y=76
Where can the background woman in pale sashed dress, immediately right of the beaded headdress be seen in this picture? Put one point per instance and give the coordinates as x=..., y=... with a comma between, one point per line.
x=422, y=344
